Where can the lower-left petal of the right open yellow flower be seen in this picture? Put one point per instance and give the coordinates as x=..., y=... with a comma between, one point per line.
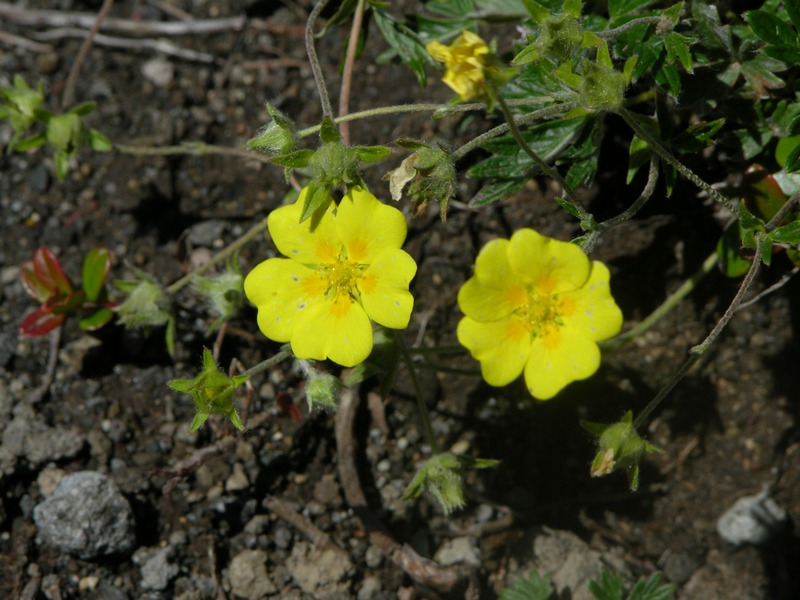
x=502, y=347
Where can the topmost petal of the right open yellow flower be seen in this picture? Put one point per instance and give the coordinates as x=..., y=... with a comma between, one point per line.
x=549, y=265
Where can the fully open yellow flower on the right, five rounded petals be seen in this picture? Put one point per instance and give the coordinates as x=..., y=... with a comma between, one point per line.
x=536, y=305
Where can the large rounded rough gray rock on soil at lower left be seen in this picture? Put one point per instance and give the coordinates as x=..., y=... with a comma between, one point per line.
x=86, y=516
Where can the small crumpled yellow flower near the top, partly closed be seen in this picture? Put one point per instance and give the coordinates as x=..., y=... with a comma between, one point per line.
x=465, y=60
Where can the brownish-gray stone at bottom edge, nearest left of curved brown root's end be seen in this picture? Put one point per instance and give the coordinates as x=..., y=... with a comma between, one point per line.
x=324, y=574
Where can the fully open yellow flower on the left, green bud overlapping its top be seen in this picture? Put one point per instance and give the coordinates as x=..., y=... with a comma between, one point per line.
x=343, y=269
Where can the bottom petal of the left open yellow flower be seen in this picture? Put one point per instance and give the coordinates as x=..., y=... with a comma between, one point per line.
x=337, y=329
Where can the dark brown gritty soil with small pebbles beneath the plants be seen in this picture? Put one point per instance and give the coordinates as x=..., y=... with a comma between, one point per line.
x=728, y=430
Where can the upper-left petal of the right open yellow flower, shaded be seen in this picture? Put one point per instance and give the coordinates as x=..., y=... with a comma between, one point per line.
x=495, y=291
